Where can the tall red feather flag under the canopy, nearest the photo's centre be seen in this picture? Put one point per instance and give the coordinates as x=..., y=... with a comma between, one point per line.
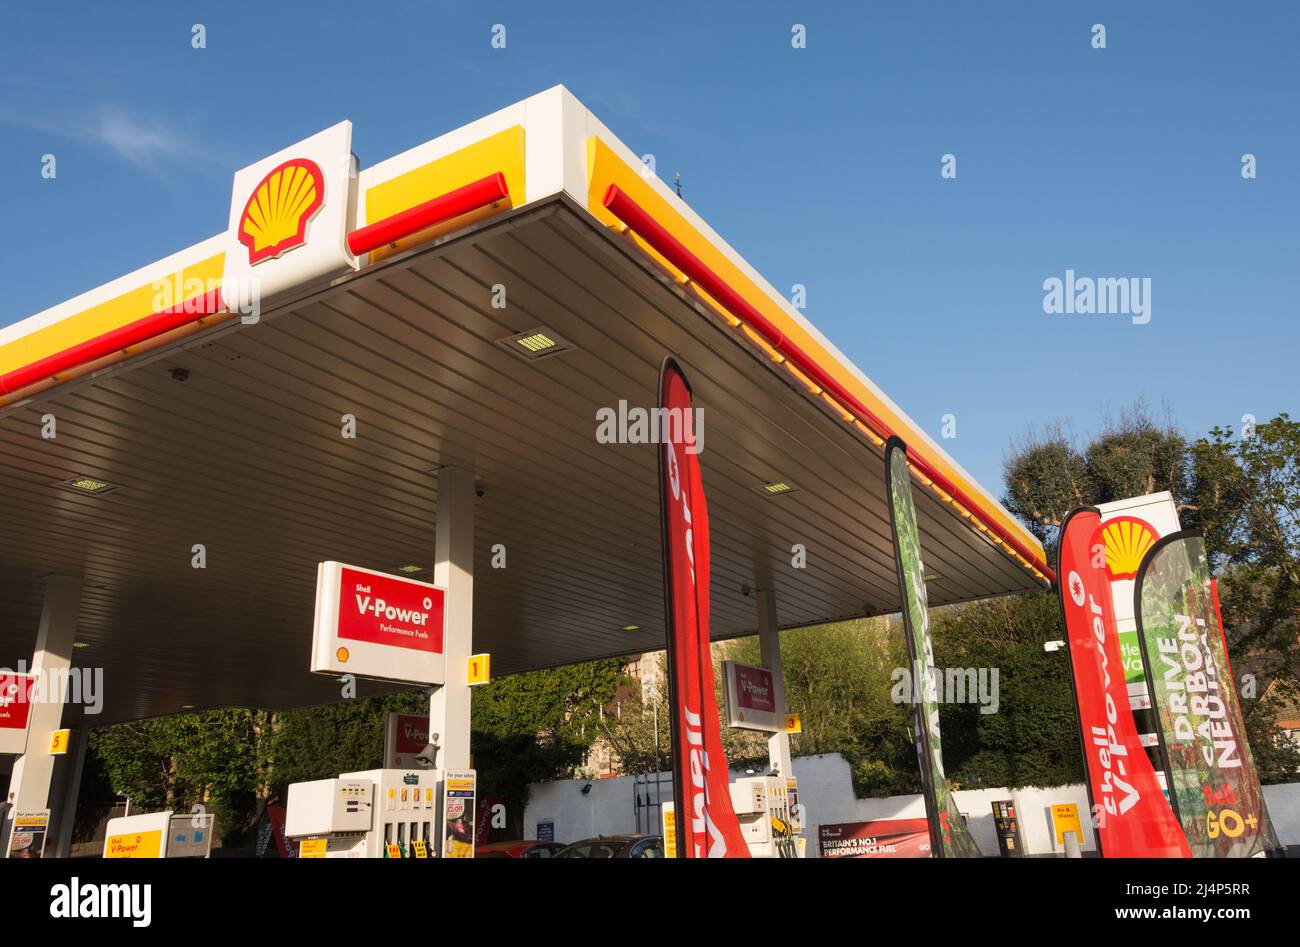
x=709, y=827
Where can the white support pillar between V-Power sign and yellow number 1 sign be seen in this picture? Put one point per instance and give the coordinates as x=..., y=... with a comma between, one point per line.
x=454, y=570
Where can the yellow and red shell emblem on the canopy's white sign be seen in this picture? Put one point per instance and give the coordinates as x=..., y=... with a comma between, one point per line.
x=280, y=209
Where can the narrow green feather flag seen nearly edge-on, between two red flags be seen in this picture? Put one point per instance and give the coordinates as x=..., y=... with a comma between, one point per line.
x=948, y=832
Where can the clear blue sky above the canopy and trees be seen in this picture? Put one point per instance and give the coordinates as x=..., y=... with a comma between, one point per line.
x=821, y=166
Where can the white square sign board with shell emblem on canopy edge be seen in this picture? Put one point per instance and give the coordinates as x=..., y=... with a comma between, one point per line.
x=289, y=219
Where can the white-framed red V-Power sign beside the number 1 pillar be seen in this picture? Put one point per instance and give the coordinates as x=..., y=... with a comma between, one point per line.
x=379, y=626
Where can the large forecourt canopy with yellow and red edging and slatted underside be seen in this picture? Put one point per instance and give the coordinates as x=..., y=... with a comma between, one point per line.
x=501, y=286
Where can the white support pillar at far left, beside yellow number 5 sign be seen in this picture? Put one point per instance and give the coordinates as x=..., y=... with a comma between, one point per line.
x=29, y=786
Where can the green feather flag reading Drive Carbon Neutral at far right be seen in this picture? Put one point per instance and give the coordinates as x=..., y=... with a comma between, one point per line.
x=1214, y=785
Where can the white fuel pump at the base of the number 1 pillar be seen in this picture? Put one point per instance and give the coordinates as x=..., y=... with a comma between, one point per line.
x=385, y=814
